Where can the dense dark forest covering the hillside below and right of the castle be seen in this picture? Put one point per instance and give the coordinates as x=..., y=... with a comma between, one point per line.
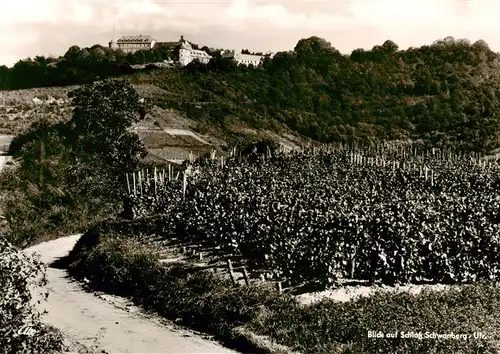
x=444, y=94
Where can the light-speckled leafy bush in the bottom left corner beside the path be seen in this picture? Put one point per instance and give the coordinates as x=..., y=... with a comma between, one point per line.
x=21, y=330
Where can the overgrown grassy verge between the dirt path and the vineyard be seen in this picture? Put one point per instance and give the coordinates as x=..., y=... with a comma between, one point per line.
x=113, y=259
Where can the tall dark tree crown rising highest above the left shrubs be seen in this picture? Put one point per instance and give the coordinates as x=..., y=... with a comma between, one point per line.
x=102, y=114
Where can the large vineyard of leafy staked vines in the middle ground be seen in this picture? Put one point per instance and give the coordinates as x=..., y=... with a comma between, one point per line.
x=389, y=214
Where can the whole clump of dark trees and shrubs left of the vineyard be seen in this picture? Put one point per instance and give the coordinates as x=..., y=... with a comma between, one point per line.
x=77, y=166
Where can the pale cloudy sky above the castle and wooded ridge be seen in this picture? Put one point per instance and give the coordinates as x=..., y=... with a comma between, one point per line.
x=49, y=27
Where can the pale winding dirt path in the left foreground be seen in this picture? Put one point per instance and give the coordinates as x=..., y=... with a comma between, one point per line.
x=108, y=323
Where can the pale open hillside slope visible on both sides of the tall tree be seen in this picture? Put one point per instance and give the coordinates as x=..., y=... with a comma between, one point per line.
x=167, y=133
